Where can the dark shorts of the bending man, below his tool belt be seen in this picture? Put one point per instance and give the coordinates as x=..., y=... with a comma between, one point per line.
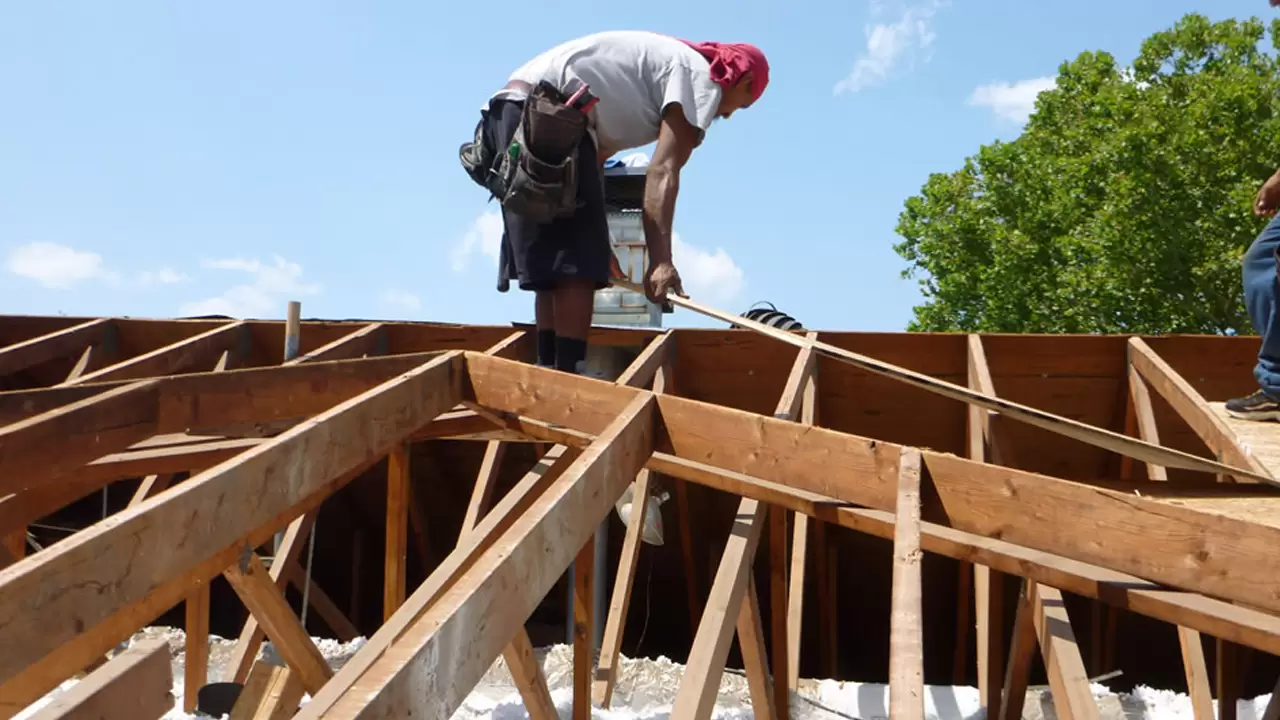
x=540, y=257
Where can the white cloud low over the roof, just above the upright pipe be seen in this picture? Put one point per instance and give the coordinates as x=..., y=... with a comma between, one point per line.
x=266, y=294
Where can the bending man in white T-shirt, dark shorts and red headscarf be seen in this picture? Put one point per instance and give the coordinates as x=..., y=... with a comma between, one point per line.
x=542, y=144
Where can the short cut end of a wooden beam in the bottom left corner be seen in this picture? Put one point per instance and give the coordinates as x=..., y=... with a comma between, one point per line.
x=136, y=685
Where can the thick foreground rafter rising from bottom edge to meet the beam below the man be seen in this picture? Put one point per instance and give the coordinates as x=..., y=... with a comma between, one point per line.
x=441, y=657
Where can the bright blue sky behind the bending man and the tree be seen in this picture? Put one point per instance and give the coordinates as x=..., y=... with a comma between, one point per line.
x=163, y=160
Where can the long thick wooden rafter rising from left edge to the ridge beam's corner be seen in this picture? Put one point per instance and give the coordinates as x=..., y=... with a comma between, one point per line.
x=57, y=596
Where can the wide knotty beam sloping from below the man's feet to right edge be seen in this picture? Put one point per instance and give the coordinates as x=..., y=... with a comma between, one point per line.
x=1183, y=548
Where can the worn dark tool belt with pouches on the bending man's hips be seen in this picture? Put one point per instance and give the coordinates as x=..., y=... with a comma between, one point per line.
x=537, y=175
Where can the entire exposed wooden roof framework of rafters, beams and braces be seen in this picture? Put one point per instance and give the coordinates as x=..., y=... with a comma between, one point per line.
x=267, y=444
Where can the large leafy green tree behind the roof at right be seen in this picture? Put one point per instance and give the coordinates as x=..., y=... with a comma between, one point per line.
x=1123, y=207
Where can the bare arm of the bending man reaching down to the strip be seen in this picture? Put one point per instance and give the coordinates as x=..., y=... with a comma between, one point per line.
x=676, y=142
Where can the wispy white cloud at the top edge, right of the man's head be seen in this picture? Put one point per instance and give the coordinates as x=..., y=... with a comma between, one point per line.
x=889, y=44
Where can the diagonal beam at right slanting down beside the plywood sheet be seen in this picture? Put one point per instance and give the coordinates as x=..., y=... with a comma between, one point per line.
x=1192, y=408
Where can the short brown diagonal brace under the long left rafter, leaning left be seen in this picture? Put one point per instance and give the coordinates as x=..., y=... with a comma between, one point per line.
x=266, y=601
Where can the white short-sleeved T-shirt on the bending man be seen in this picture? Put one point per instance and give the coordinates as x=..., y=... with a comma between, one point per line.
x=636, y=75
